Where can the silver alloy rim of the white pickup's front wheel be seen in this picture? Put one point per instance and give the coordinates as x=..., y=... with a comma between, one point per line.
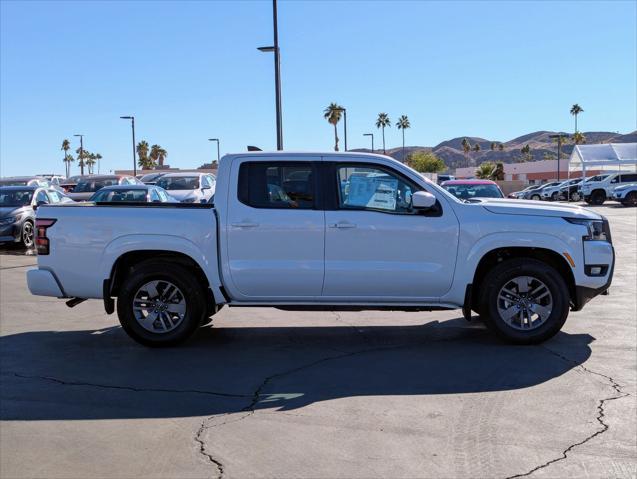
x=525, y=303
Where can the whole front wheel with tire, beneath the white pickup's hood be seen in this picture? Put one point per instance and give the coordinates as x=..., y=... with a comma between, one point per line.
x=525, y=301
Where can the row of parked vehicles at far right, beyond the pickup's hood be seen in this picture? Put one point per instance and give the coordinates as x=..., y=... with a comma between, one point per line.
x=594, y=190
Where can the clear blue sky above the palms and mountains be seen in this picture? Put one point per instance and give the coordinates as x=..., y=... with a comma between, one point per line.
x=189, y=71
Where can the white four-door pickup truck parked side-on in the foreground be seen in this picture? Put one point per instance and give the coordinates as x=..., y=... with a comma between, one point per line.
x=324, y=231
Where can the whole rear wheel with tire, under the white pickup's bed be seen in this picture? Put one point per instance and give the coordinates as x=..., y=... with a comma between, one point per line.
x=160, y=306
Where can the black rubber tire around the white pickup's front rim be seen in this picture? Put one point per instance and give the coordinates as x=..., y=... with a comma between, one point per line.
x=503, y=273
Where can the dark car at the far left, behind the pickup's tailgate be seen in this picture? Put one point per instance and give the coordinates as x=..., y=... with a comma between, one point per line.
x=17, y=211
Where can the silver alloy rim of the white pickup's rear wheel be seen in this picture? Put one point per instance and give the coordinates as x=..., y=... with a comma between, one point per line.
x=159, y=306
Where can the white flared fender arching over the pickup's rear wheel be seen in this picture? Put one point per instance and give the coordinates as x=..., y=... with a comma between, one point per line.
x=207, y=260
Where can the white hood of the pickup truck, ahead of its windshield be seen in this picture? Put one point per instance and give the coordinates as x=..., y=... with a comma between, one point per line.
x=535, y=208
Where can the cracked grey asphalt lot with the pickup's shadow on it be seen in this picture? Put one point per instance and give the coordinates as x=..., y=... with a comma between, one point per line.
x=266, y=393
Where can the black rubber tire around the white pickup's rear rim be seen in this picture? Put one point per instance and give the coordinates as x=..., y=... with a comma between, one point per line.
x=177, y=274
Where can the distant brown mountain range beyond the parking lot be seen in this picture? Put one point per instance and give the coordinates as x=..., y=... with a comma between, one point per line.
x=541, y=147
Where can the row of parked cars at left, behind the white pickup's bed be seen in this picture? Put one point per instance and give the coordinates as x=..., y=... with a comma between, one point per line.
x=20, y=197
